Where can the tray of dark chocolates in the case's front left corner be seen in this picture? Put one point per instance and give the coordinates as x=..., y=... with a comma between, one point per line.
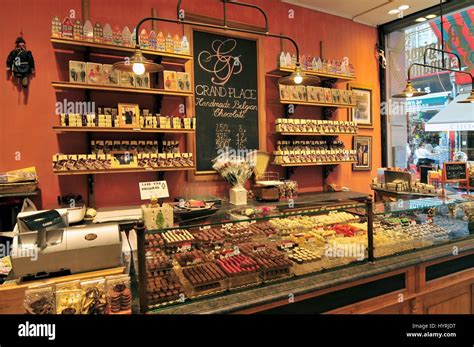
x=164, y=290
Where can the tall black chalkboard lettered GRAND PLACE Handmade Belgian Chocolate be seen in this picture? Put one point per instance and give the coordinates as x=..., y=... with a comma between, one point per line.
x=226, y=96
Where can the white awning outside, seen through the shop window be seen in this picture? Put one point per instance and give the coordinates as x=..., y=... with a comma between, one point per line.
x=454, y=117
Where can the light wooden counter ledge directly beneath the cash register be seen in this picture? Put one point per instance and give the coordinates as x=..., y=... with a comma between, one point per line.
x=12, y=295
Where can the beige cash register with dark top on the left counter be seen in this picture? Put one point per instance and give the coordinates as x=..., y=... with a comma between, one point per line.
x=45, y=245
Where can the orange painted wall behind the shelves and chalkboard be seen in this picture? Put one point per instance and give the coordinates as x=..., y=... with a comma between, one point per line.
x=26, y=120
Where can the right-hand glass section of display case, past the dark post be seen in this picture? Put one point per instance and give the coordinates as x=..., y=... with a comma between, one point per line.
x=408, y=225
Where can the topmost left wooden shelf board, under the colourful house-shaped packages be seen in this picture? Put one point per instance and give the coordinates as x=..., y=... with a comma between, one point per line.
x=102, y=48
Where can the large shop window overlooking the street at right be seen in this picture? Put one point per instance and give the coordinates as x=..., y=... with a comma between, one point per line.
x=433, y=128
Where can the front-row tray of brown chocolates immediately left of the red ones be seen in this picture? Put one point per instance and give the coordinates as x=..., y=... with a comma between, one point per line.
x=204, y=279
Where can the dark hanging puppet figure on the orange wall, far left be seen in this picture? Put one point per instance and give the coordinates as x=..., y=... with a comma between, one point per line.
x=21, y=63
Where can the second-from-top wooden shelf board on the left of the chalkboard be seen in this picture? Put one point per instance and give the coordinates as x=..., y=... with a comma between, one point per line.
x=84, y=86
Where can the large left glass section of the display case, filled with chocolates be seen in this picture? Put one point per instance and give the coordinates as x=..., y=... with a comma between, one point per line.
x=242, y=247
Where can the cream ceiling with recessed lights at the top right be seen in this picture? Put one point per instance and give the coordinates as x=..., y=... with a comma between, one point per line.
x=370, y=12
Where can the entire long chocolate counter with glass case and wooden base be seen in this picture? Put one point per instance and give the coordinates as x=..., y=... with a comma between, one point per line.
x=316, y=254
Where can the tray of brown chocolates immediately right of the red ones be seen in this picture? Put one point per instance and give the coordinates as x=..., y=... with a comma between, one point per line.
x=273, y=264
